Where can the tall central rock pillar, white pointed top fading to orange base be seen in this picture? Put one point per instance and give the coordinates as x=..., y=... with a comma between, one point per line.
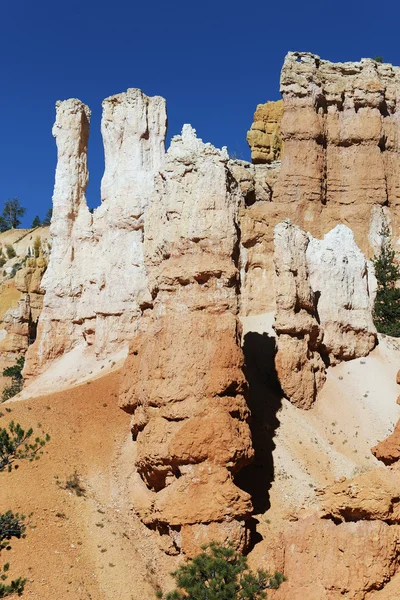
x=183, y=382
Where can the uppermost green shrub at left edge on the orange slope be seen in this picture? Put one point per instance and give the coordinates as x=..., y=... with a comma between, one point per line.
x=15, y=446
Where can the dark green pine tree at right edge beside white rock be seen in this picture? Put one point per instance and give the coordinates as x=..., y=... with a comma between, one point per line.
x=387, y=301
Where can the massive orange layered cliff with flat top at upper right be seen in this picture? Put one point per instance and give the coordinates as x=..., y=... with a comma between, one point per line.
x=340, y=129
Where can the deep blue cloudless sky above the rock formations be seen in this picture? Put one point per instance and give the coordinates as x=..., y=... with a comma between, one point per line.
x=213, y=61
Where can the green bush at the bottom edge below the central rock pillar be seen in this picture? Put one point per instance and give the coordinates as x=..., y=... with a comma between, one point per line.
x=220, y=573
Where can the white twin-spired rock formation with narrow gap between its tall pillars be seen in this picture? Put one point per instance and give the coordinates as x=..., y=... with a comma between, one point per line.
x=95, y=283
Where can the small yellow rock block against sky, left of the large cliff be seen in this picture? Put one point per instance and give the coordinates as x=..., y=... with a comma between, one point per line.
x=264, y=137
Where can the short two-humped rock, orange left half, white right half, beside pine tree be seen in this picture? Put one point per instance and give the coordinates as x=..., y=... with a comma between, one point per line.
x=323, y=307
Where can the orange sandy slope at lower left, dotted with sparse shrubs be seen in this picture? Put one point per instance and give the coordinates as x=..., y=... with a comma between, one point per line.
x=90, y=547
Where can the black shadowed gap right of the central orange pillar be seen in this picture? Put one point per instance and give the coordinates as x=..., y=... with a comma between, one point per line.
x=264, y=400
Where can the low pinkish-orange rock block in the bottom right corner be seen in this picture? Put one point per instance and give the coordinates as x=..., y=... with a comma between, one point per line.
x=325, y=561
